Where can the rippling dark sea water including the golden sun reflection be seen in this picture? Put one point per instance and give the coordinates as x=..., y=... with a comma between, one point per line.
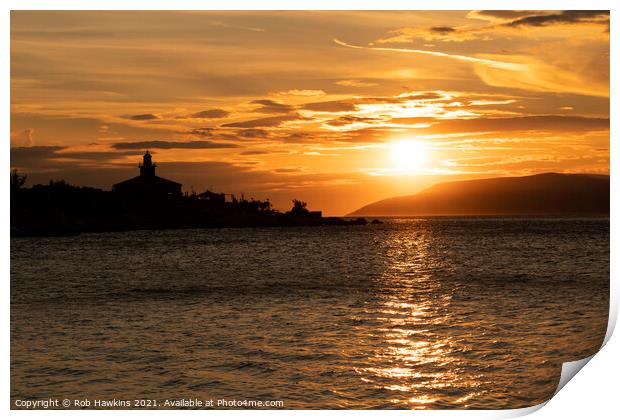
x=427, y=313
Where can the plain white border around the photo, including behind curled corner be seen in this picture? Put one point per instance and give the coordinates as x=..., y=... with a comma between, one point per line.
x=593, y=394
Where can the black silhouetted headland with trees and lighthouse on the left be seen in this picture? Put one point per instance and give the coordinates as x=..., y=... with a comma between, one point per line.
x=144, y=202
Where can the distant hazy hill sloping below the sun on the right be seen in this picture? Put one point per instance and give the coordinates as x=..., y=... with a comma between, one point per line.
x=543, y=194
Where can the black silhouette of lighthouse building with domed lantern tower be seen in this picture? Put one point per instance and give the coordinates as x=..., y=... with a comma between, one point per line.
x=147, y=183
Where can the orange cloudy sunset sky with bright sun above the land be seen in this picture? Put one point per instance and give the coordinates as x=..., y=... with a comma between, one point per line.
x=338, y=109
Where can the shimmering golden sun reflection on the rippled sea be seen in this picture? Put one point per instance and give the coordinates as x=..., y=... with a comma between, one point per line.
x=416, y=365
